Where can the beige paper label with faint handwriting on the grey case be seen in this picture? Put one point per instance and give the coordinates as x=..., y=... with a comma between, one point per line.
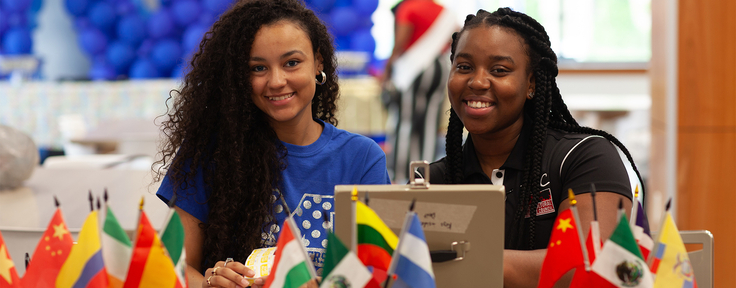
x=439, y=217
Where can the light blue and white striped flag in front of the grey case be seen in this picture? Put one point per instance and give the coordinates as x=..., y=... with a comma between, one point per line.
x=411, y=263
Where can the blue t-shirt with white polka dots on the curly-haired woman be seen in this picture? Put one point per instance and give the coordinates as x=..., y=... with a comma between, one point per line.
x=338, y=157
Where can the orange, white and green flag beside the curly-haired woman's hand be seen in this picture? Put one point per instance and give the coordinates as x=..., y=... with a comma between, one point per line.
x=291, y=266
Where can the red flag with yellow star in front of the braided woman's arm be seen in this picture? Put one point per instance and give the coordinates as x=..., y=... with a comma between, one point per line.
x=563, y=251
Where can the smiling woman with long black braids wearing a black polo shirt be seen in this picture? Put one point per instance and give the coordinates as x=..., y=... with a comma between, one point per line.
x=521, y=135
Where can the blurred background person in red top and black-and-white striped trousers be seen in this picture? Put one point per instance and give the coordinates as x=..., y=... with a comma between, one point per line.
x=417, y=69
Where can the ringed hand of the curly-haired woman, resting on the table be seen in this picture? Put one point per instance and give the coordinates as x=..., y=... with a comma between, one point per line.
x=229, y=274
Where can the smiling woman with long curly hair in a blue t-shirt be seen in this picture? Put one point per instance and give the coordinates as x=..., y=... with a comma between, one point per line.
x=254, y=122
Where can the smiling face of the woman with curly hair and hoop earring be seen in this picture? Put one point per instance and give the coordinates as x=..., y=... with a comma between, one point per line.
x=283, y=68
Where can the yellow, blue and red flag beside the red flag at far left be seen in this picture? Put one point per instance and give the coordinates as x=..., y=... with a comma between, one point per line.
x=84, y=267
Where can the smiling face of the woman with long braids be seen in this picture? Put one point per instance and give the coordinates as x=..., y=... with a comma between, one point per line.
x=489, y=82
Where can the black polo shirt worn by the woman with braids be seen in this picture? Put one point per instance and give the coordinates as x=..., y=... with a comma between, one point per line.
x=569, y=161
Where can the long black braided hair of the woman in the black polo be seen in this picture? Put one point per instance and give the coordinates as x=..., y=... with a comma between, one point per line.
x=546, y=109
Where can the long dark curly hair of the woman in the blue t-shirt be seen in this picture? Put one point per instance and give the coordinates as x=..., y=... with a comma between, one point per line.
x=214, y=125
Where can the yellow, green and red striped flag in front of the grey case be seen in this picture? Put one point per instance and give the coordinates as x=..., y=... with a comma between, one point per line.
x=376, y=242
